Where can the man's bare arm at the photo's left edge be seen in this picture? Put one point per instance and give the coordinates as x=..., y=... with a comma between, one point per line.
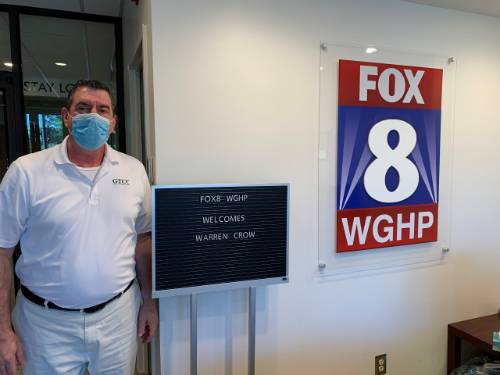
x=10, y=346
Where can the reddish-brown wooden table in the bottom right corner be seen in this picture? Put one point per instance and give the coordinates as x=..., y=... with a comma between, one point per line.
x=478, y=332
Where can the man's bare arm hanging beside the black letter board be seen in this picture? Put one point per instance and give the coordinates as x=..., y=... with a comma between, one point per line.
x=148, y=314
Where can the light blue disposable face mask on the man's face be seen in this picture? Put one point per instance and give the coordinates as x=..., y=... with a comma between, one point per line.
x=90, y=130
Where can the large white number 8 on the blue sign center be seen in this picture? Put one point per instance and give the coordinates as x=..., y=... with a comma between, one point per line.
x=387, y=157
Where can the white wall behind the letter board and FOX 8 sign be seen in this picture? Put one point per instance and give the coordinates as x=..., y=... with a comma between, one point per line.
x=236, y=93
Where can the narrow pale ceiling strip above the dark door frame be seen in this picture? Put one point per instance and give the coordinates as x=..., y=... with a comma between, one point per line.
x=101, y=7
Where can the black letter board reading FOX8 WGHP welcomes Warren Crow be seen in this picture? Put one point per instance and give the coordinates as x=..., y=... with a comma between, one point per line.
x=218, y=237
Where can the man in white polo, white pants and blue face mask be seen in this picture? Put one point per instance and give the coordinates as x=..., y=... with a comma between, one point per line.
x=82, y=214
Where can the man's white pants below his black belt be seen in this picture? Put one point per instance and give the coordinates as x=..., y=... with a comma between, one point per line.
x=70, y=342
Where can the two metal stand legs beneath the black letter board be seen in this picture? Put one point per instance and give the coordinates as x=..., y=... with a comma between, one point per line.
x=252, y=292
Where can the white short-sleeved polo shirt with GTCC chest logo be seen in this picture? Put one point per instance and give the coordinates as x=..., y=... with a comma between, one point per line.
x=77, y=236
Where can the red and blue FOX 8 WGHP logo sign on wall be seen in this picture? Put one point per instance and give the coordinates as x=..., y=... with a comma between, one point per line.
x=389, y=124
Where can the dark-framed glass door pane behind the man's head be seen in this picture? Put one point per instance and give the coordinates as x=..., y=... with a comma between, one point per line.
x=56, y=53
